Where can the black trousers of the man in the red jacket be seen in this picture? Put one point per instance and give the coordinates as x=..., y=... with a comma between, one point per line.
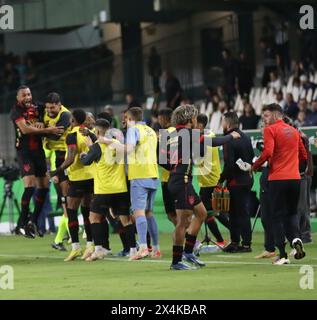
x=284, y=196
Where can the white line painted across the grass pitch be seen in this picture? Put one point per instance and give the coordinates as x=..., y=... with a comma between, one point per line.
x=159, y=261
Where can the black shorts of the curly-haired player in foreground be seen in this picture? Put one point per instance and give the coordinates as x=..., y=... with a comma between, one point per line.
x=184, y=194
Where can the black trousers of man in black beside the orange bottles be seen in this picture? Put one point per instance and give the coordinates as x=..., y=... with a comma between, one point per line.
x=239, y=216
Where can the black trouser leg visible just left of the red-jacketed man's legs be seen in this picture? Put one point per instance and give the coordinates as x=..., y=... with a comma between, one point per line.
x=266, y=220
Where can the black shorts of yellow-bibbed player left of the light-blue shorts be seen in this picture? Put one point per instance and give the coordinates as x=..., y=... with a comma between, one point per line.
x=118, y=202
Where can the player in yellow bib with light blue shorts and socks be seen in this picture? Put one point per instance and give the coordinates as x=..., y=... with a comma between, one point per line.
x=141, y=145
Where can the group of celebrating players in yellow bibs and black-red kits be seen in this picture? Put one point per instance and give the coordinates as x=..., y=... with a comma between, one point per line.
x=115, y=173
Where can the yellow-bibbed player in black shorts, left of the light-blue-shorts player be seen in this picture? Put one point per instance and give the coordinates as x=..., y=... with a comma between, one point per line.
x=110, y=191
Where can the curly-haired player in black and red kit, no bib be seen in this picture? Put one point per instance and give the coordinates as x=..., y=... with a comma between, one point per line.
x=187, y=202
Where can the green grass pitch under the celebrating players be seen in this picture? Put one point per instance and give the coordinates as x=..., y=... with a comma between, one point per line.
x=41, y=273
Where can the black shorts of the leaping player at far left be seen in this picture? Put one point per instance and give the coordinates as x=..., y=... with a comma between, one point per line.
x=32, y=163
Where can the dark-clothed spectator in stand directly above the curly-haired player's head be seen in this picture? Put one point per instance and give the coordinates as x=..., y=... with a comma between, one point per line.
x=173, y=90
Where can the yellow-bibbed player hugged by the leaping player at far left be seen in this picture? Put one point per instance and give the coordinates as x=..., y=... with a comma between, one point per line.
x=56, y=115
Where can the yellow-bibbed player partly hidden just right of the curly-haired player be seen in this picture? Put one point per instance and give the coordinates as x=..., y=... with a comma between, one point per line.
x=208, y=177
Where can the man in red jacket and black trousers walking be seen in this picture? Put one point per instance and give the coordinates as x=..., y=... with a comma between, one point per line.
x=283, y=148
